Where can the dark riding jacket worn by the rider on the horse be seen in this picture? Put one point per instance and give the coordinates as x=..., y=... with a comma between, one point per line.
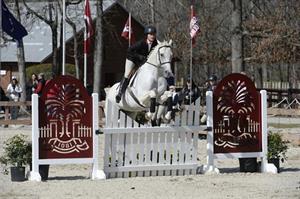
x=138, y=52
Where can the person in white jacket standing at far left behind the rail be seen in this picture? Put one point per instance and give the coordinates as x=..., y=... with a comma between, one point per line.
x=14, y=91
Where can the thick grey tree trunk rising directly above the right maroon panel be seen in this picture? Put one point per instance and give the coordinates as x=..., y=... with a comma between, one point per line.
x=236, y=39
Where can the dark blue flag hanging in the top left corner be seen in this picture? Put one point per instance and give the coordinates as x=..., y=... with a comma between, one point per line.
x=10, y=24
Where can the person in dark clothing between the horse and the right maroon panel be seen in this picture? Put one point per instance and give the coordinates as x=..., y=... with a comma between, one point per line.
x=189, y=93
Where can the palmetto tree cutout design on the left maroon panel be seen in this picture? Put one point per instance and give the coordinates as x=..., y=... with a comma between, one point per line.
x=63, y=103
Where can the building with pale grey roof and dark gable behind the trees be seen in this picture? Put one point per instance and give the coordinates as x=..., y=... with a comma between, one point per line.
x=38, y=45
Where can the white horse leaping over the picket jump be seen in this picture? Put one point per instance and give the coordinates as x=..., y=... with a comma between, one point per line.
x=148, y=85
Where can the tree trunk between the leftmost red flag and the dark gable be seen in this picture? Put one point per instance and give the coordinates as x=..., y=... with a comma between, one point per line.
x=98, y=51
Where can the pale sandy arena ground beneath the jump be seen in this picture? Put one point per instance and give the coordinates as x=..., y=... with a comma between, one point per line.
x=72, y=181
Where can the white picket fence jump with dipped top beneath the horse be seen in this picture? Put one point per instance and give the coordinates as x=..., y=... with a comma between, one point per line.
x=133, y=150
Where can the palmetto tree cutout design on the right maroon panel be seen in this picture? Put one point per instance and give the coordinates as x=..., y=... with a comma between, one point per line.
x=236, y=102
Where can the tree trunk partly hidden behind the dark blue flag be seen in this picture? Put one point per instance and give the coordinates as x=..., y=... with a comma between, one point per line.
x=21, y=59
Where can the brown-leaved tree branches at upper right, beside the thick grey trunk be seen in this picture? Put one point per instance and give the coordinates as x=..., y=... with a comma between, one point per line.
x=273, y=38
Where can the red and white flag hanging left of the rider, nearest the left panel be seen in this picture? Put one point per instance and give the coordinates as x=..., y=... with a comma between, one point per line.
x=89, y=31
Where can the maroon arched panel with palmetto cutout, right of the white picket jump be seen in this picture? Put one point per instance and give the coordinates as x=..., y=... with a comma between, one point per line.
x=236, y=115
